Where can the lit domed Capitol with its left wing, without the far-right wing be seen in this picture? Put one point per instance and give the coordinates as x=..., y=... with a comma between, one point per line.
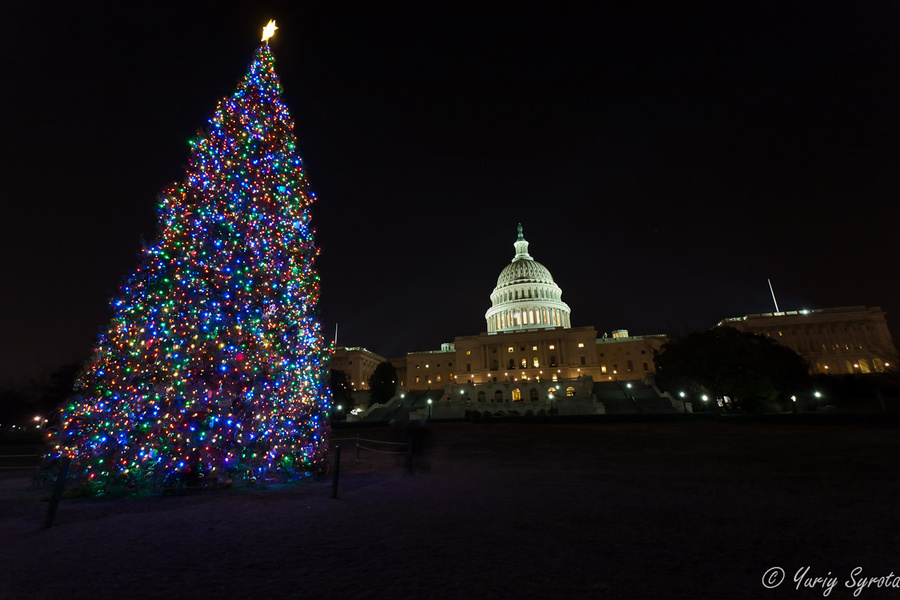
x=529, y=359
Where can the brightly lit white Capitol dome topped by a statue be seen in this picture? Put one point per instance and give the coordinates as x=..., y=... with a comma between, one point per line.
x=526, y=297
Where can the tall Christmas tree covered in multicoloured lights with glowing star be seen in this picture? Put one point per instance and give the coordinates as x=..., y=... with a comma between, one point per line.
x=213, y=367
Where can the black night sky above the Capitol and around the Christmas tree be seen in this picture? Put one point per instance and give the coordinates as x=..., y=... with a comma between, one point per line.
x=664, y=161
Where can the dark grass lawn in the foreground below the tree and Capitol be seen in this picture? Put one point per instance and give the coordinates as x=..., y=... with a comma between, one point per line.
x=681, y=509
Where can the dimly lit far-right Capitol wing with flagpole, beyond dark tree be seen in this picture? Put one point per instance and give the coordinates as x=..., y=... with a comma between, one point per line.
x=850, y=339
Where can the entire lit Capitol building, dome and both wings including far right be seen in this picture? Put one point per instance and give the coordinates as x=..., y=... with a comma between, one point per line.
x=530, y=360
